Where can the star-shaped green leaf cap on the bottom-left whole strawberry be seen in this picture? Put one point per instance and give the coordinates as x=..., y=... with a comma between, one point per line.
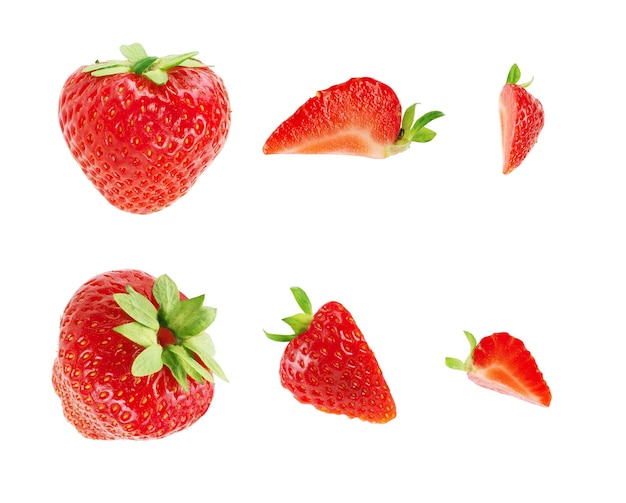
x=183, y=322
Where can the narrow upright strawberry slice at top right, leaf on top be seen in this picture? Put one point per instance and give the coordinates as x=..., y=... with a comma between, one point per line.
x=521, y=120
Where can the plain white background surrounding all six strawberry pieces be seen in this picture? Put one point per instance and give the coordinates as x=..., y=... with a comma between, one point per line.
x=419, y=247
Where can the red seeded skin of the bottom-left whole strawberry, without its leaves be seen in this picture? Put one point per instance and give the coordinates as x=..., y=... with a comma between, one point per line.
x=93, y=373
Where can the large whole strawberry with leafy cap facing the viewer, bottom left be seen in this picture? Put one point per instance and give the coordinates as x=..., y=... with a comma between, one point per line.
x=134, y=359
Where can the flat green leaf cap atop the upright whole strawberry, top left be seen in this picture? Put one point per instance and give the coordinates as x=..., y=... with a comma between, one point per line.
x=138, y=62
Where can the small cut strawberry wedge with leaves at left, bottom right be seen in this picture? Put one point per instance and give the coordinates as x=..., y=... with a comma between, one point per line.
x=501, y=363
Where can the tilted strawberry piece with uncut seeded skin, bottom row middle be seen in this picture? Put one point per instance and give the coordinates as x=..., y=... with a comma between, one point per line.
x=329, y=365
